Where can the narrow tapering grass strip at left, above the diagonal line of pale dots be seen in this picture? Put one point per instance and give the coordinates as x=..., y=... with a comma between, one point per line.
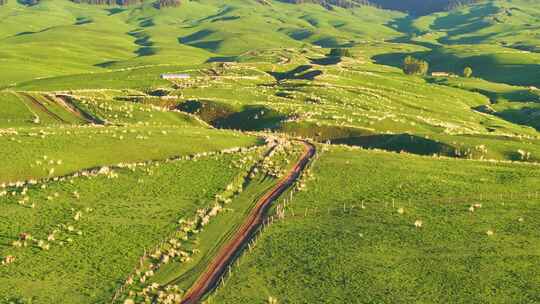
x=80, y=148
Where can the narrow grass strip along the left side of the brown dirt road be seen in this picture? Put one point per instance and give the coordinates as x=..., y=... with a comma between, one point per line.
x=209, y=238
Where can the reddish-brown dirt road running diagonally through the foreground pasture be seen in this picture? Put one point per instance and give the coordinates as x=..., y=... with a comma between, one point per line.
x=226, y=255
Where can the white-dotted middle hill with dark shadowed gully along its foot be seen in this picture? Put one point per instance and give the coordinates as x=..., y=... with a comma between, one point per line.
x=360, y=103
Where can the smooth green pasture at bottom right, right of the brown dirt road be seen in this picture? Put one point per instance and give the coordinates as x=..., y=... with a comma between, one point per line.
x=339, y=254
